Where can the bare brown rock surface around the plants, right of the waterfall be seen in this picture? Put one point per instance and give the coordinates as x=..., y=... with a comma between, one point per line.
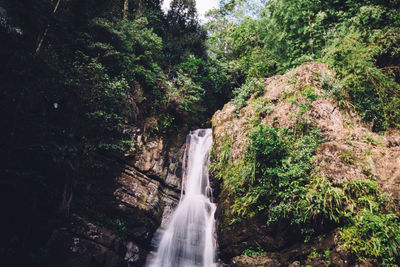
x=350, y=151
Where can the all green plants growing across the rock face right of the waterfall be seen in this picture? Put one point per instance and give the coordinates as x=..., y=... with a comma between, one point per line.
x=275, y=180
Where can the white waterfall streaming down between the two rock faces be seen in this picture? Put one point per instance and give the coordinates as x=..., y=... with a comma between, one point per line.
x=189, y=238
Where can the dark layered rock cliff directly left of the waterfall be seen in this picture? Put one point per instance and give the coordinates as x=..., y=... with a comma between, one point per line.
x=131, y=203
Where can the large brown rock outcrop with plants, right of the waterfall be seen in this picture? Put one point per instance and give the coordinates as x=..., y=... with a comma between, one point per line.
x=312, y=189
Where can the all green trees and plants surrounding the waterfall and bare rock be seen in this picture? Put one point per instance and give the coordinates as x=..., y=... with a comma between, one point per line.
x=74, y=74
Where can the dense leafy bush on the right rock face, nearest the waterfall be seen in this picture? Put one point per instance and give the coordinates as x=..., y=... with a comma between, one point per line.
x=271, y=177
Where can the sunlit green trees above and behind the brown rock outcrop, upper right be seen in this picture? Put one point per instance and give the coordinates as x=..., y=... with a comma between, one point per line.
x=358, y=39
